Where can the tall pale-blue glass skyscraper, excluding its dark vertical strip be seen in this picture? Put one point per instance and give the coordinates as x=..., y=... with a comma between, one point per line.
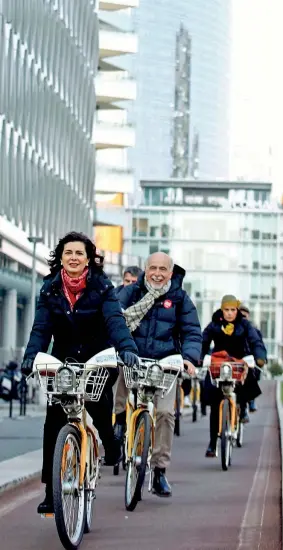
x=208, y=23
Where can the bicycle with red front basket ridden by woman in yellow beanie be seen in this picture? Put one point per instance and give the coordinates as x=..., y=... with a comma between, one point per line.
x=227, y=375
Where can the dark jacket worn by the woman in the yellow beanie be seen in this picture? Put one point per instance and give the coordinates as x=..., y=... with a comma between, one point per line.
x=245, y=339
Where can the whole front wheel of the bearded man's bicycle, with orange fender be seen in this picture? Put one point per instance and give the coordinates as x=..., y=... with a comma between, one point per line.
x=136, y=468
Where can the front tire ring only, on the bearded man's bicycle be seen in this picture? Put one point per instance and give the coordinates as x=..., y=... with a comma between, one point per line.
x=133, y=494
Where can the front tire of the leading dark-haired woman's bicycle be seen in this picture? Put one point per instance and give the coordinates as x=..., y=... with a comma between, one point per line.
x=70, y=543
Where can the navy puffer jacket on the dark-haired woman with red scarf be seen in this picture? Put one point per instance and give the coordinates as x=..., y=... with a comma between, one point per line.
x=95, y=323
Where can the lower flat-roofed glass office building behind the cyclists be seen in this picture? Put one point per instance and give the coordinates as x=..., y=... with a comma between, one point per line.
x=229, y=240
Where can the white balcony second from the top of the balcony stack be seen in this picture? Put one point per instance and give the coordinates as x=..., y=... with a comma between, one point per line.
x=113, y=42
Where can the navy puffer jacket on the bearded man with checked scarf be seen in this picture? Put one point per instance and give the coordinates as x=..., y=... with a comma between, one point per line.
x=170, y=326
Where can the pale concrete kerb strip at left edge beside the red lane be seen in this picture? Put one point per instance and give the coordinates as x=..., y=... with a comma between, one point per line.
x=17, y=470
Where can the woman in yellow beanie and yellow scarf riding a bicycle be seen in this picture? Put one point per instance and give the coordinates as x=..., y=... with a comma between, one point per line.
x=232, y=333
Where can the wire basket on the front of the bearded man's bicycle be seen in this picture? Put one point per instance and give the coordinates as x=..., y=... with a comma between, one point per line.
x=150, y=374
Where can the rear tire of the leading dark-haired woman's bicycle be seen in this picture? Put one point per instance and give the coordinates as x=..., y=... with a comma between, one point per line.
x=89, y=492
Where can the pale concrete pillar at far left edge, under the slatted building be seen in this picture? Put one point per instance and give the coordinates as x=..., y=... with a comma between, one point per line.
x=10, y=320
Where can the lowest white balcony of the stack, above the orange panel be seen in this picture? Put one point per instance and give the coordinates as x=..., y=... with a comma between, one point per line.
x=113, y=180
